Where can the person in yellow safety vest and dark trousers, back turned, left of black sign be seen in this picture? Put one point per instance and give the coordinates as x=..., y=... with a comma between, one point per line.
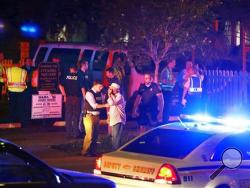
x=16, y=83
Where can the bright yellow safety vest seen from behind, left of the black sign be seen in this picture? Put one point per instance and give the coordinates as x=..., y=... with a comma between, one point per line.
x=16, y=79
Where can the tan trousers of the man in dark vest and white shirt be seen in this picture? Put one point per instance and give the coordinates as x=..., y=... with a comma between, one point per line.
x=91, y=124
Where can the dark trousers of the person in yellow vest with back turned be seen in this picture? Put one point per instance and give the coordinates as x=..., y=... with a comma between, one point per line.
x=16, y=107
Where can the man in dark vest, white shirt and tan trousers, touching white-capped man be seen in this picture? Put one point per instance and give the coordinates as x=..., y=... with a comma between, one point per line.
x=93, y=104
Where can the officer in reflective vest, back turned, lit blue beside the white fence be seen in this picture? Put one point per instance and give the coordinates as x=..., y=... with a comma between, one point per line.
x=192, y=93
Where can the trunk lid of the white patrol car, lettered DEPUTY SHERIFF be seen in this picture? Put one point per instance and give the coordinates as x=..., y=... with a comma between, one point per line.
x=135, y=165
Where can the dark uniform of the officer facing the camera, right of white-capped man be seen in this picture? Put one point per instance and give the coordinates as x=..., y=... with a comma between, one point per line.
x=148, y=108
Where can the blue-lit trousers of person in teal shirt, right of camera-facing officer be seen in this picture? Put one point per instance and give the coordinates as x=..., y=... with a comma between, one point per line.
x=167, y=95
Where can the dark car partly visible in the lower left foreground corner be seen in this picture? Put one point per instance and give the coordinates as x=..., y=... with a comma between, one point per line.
x=21, y=169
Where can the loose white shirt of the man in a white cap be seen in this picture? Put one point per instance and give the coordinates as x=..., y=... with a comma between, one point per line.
x=117, y=109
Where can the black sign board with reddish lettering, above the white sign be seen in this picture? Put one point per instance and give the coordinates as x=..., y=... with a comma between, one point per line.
x=48, y=77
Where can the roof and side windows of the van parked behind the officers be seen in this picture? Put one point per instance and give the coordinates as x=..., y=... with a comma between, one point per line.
x=71, y=53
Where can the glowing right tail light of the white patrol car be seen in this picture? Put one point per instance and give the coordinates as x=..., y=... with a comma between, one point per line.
x=167, y=175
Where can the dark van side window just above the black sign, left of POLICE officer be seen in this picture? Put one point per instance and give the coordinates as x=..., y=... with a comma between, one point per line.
x=65, y=56
